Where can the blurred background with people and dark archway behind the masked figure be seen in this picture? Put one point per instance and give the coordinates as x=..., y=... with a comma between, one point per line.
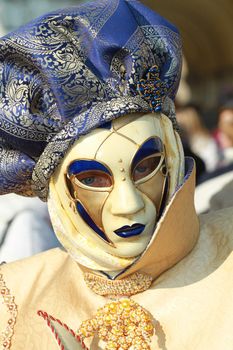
x=204, y=107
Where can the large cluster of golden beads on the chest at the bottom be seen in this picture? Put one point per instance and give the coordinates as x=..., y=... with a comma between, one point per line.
x=122, y=325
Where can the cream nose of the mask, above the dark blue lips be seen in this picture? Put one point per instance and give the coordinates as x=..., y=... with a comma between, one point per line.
x=126, y=200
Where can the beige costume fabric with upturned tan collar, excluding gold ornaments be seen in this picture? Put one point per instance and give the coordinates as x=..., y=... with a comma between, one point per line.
x=191, y=301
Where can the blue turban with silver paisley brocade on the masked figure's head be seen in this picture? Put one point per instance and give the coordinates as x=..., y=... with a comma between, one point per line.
x=71, y=71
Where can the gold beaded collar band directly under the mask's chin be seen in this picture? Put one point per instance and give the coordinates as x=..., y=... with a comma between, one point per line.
x=133, y=284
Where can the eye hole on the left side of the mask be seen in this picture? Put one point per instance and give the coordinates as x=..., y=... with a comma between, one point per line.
x=96, y=179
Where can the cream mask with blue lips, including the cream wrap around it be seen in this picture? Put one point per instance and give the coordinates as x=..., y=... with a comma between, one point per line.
x=108, y=194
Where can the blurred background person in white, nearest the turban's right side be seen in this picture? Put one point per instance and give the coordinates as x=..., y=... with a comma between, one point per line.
x=198, y=136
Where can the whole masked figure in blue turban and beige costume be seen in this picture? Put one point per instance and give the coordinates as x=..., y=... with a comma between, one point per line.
x=87, y=123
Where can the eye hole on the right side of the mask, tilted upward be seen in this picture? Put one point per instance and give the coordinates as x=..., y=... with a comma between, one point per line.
x=146, y=167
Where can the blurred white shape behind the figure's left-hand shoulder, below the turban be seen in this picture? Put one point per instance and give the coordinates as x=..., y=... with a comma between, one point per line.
x=25, y=227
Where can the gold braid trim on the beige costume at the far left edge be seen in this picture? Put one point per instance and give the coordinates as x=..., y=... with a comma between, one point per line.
x=9, y=301
